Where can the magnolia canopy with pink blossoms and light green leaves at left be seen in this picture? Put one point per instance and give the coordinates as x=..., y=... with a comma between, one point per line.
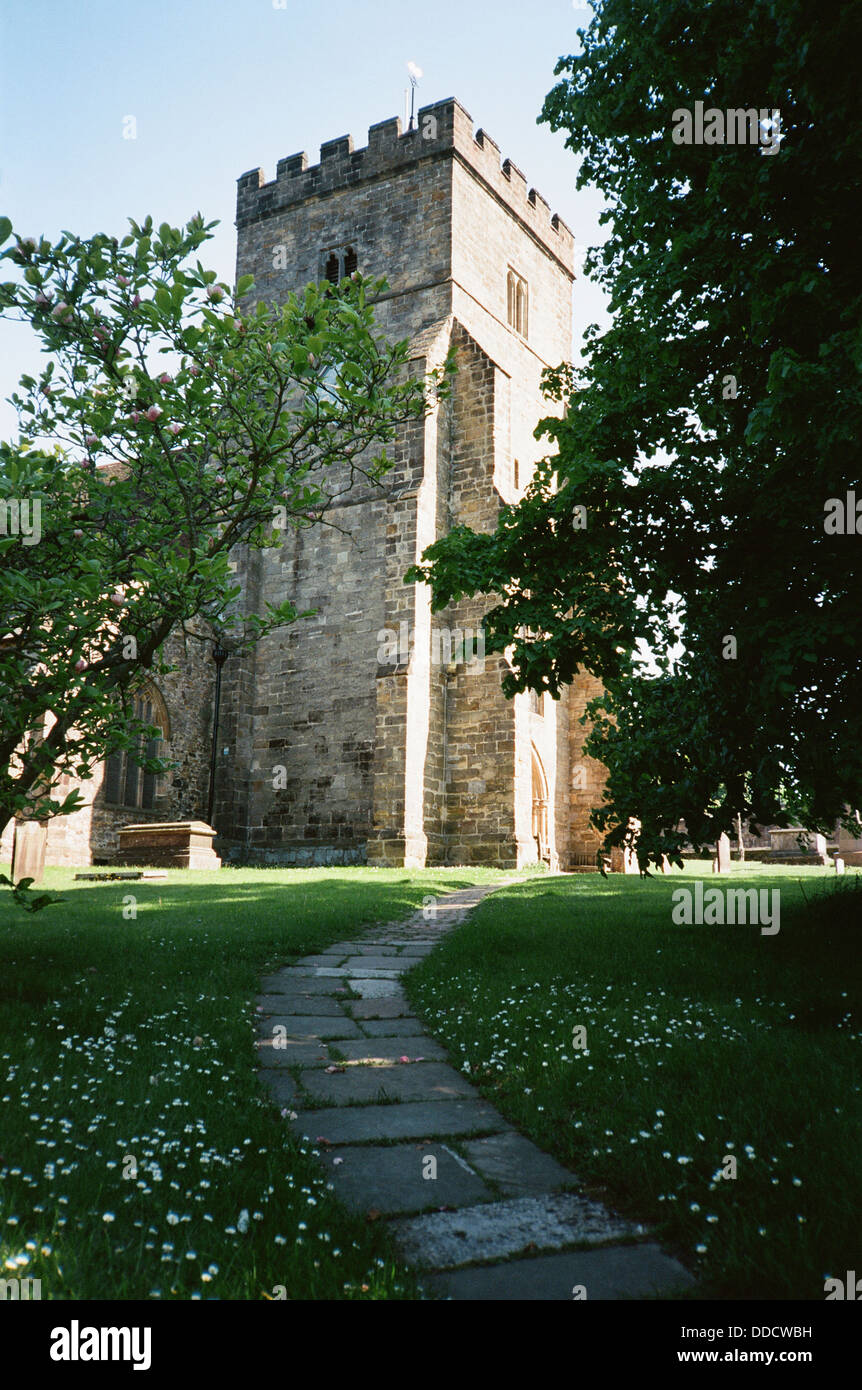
x=170, y=427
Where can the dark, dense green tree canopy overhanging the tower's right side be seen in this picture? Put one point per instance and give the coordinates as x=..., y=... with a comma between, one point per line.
x=713, y=436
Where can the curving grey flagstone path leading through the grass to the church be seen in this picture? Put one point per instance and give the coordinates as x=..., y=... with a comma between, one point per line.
x=345, y=1057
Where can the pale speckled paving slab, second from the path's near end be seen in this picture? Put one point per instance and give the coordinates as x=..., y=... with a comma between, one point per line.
x=500, y=1231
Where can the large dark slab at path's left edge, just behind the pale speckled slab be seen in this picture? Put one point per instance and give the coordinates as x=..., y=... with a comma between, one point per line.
x=393, y=1179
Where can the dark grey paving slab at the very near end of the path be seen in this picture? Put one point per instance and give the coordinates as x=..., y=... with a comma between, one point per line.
x=615, y=1274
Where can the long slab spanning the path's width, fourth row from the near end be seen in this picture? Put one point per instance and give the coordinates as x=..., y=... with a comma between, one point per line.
x=412, y=1120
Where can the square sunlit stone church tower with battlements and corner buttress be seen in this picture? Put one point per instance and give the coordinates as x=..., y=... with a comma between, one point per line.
x=368, y=733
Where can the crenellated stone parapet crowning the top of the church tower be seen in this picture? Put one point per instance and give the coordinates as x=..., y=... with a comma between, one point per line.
x=443, y=130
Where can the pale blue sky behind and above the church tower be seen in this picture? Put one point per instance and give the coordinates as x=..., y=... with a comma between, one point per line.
x=220, y=87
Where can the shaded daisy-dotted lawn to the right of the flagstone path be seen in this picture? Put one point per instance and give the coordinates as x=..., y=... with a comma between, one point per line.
x=703, y=1042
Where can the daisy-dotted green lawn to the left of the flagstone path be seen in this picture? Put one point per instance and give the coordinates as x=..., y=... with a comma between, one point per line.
x=140, y=1157
